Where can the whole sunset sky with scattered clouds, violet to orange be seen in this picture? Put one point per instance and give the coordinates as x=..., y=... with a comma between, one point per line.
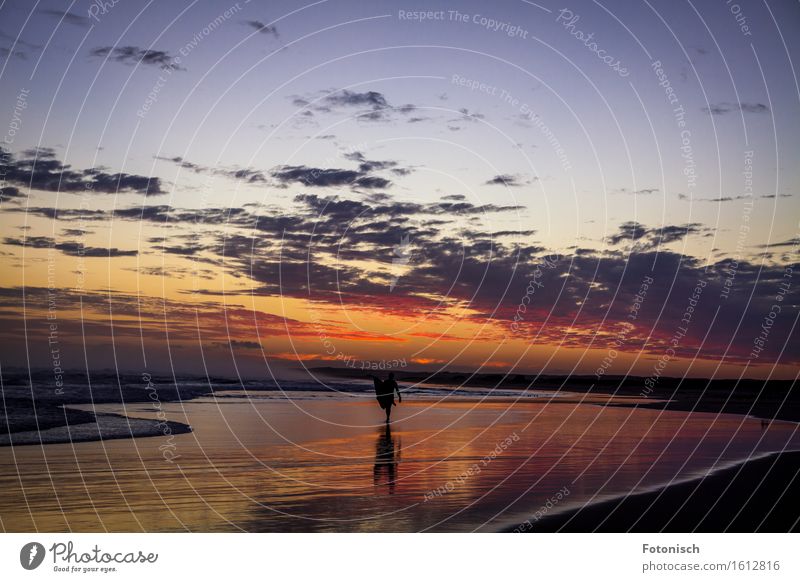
x=252, y=188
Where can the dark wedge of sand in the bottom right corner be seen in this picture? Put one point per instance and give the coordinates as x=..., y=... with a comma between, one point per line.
x=757, y=495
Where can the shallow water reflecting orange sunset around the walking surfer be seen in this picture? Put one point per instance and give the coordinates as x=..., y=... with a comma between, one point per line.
x=324, y=462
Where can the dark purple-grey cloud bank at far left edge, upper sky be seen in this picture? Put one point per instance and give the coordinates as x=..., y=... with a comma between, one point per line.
x=39, y=169
